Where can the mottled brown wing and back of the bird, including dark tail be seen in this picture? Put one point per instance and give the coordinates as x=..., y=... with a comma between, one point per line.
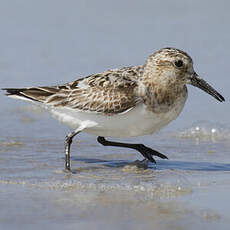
x=109, y=92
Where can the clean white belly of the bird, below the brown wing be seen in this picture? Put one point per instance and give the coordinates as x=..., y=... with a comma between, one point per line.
x=135, y=122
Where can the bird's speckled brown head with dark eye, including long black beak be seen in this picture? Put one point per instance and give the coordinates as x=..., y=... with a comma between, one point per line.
x=174, y=65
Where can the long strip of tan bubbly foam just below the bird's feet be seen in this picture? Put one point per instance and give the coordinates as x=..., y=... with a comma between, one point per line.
x=144, y=184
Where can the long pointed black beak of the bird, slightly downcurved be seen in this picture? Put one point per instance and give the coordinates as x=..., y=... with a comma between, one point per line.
x=196, y=81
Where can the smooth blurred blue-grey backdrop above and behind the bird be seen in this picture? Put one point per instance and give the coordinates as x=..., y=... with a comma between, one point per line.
x=53, y=42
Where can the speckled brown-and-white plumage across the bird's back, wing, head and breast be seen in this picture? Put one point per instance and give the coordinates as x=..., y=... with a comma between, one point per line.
x=117, y=90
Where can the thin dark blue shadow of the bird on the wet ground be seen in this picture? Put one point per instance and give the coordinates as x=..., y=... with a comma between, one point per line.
x=160, y=164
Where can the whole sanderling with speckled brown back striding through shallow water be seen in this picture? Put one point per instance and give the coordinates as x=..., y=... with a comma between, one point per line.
x=127, y=102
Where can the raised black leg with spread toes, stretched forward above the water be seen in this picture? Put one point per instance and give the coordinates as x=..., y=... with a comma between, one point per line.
x=146, y=152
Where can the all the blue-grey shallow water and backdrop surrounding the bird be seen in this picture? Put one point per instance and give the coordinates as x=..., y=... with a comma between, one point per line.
x=50, y=42
